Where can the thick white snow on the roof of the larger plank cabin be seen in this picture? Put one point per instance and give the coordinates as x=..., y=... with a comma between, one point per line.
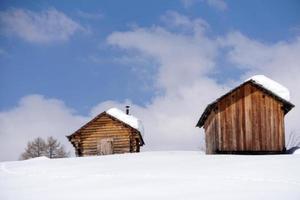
x=272, y=86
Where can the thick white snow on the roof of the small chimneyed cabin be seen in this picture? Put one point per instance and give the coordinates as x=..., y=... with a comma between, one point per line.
x=127, y=119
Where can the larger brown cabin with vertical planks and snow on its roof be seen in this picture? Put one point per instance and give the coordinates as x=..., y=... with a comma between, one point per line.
x=249, y=119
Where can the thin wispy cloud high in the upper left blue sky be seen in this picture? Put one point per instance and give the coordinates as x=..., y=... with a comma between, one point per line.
x=38, y=27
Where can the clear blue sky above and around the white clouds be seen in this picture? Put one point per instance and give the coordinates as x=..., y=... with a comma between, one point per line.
x=64, y=71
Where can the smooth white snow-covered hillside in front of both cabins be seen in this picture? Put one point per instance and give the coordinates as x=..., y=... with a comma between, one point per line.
x=153, y=175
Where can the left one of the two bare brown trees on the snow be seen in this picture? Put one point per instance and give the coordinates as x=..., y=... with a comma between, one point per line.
x=35, y=148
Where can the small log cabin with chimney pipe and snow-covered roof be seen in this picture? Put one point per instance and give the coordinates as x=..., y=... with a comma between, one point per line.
x=111, y=132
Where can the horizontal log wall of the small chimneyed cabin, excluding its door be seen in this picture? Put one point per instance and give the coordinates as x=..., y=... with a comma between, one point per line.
x=125, y=139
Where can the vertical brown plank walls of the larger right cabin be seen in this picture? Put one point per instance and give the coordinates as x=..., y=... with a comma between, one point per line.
x=246, y=120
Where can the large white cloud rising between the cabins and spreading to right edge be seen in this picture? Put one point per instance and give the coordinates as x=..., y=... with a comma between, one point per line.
x=186, y=60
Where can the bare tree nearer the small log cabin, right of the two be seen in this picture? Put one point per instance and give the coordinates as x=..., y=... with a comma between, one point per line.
x=55, y=149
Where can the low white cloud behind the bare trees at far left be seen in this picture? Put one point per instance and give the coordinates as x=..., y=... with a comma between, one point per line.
x=35, y=116
